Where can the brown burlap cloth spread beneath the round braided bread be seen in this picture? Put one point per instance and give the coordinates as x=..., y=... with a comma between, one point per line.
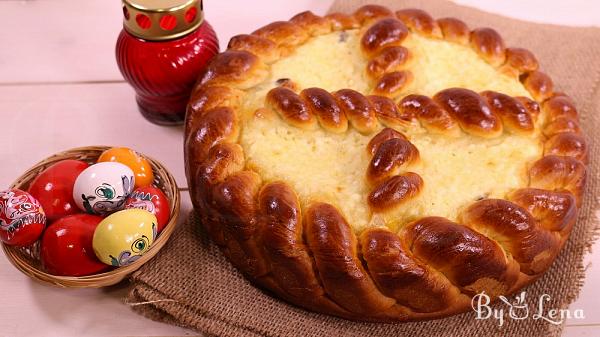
x=190, y=283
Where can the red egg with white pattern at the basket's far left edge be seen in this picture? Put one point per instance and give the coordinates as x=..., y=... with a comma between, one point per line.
x=22, y=218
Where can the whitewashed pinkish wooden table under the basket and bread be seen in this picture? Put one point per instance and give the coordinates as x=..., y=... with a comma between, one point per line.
x=60, y=88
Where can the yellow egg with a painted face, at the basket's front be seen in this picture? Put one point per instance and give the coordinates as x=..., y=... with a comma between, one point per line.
x=123, y=237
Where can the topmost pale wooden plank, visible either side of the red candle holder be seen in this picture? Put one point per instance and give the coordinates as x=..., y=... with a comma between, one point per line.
x=74, y=41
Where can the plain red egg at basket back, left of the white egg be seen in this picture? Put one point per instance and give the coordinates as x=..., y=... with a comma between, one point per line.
x=53, y=188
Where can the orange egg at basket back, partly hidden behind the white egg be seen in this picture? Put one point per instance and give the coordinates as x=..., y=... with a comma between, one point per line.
x=138, y=164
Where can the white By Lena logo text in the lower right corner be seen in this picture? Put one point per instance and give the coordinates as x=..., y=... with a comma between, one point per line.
x=518, y=309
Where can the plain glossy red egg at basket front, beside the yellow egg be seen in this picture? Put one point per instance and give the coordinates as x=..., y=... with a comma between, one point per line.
x=66, y=248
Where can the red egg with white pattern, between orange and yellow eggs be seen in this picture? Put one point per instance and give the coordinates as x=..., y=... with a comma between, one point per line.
x=153, y=200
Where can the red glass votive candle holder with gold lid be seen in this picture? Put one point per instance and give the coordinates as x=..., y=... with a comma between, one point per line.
x=163, y=47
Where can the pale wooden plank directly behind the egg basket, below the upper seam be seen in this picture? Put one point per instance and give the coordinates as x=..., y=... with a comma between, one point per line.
x=50, y=118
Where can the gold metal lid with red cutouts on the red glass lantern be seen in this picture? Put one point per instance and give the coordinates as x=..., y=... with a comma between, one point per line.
x=158, y=20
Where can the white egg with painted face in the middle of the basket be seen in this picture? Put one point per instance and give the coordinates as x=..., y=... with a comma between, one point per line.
x=103, y=188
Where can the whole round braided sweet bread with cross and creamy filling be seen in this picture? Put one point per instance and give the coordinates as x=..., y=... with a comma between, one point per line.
x=383, y=166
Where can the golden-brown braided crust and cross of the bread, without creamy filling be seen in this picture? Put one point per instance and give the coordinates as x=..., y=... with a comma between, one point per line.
x=395, y=268
